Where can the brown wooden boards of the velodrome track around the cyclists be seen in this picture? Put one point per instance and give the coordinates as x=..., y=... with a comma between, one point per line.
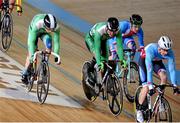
x=160, y=17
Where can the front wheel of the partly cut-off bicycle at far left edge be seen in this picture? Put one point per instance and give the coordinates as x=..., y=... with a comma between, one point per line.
x=7, y=32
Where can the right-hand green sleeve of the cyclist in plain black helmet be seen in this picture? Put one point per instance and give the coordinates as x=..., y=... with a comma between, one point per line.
x=120, y=46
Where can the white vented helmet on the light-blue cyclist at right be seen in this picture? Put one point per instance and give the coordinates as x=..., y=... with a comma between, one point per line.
x=165, y=42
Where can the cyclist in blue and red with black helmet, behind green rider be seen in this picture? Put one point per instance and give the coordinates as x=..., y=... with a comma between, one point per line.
x=130, y=29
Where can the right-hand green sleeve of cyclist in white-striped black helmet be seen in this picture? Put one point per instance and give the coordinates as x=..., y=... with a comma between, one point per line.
x=56, y=39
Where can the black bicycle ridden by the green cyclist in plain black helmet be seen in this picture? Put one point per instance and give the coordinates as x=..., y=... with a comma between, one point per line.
x=109, y=87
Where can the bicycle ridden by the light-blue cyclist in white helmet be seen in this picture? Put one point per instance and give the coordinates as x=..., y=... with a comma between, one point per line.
x=161, y=109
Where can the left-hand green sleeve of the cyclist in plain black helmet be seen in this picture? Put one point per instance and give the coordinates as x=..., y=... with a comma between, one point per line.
x=97, y=45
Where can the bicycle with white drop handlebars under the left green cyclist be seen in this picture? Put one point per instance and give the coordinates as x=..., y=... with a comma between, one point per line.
x=40, y=74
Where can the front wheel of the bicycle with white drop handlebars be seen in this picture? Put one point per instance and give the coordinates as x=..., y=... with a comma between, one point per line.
x=43, y=76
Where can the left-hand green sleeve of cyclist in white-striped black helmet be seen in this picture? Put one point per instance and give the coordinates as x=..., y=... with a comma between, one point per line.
x=31, y=41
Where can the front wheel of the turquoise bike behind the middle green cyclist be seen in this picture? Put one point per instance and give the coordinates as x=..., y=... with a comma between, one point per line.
x=131, y=81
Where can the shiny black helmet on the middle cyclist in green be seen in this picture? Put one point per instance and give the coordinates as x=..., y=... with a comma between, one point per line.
x=113, y=24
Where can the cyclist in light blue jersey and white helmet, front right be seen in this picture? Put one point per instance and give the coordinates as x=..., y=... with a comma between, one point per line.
x=155, y=53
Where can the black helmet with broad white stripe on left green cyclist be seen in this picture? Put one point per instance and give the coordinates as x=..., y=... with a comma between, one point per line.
x=50, y=21
